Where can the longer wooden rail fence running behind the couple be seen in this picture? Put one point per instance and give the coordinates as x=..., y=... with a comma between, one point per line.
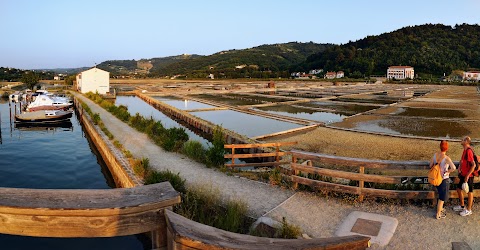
x=361, y=177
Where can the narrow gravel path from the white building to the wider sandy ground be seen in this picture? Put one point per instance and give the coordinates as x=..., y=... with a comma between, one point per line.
x=259, y=197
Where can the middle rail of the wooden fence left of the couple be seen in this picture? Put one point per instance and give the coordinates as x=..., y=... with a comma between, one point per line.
x=346, y=175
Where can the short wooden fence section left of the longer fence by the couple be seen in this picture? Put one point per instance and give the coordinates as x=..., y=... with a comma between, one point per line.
x=277, y=154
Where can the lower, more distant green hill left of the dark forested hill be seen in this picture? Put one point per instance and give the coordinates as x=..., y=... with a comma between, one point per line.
x=262, y=61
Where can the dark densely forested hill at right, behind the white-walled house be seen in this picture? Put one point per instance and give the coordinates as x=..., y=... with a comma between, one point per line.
x=431, y=48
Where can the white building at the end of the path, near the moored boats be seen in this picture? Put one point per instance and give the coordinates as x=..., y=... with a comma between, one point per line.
x=93, y=80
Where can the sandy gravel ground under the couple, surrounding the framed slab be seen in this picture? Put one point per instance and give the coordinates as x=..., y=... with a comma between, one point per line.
x=417, y=228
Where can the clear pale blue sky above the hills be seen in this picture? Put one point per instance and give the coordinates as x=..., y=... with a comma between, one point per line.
x=50, y=34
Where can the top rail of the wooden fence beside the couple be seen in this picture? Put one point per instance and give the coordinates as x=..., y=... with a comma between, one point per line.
x=357, y=162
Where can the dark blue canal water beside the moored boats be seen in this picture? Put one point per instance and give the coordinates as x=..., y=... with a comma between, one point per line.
x=60, y=157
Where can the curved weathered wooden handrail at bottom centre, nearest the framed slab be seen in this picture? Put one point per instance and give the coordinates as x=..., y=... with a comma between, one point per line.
x=186, y=234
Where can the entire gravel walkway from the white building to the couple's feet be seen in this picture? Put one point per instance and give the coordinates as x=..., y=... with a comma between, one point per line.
x=318, y=216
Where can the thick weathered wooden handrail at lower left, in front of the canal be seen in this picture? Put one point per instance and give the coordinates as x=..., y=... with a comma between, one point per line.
x=85, y=213
